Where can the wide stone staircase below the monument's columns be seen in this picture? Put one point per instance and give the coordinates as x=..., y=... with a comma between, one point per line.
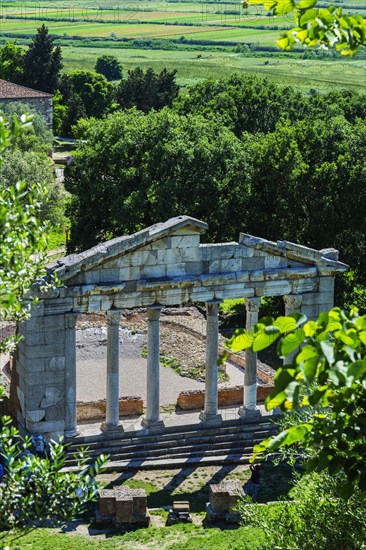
x=178, y=446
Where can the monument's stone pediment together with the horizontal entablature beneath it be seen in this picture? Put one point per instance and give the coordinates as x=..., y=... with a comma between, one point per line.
x=166, y=264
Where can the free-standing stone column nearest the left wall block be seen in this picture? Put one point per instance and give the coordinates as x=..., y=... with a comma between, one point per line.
x=111, y=422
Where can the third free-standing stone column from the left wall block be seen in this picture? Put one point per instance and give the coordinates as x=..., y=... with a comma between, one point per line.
x=210, y=414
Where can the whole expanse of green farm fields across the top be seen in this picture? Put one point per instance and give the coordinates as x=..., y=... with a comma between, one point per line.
x=209, y=24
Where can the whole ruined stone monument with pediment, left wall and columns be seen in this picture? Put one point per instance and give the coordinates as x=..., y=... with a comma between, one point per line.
x=163, y=265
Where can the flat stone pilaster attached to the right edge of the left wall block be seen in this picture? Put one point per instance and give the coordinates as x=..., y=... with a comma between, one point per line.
x=70, y=375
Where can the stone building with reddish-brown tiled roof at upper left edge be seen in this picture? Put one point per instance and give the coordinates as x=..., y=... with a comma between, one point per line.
x=39, y=101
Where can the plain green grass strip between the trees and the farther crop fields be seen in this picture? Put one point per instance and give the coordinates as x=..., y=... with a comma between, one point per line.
x=196, y=65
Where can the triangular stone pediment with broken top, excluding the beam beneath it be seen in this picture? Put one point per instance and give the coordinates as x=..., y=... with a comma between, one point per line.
x=172, y=250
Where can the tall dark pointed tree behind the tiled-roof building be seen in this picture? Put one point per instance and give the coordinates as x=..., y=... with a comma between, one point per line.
x=42, y=62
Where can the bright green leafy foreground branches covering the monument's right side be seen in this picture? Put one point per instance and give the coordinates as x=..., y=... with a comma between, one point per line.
x=327, y=377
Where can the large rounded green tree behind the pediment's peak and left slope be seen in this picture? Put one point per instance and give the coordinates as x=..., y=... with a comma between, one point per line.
x=134, y=170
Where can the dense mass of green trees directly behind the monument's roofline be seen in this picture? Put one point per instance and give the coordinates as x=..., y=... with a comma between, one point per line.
x=246, y=149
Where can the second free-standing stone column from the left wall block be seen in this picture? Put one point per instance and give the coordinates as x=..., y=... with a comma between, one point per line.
x=152, y=420
